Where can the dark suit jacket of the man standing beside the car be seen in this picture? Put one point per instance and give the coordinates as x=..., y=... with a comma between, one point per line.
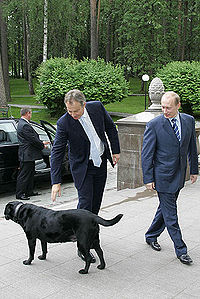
x=30, y=146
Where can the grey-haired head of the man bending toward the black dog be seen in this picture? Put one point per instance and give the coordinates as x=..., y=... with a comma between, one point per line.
x=75, y=103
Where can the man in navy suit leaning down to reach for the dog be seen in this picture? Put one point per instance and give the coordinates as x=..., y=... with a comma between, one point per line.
x=83, y=127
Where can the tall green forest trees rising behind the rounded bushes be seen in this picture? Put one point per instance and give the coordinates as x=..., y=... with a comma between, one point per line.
x=141, y=35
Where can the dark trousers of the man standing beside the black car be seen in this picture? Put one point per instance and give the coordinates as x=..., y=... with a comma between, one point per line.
x=25, y=178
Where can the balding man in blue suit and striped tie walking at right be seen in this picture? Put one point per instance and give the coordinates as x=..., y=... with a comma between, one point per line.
x=168, y=140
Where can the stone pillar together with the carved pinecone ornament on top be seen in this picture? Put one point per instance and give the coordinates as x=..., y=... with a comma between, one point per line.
x=131, y=131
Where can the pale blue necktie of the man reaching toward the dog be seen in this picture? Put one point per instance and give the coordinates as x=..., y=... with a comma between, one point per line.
x=94, y=152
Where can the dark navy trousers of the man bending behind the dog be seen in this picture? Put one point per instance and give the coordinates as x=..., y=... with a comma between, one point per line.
x=91, y=192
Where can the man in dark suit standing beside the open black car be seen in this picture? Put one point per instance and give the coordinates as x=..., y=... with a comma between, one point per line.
x=30, y=149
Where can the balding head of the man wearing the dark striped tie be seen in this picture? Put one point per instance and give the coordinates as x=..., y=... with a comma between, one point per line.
x=170, y=103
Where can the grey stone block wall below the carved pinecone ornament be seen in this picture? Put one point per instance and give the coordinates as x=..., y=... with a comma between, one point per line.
x=131, y=131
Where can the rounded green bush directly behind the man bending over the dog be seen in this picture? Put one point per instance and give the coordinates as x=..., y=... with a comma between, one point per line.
x=98, y=80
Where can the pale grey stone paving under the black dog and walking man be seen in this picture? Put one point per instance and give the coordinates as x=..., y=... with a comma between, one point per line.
x=133, y=269
